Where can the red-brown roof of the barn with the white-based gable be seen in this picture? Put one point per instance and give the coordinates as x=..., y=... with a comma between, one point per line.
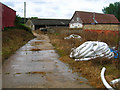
x=87, y=17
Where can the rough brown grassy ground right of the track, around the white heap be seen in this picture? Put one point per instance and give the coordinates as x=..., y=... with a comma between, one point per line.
x=90, y=69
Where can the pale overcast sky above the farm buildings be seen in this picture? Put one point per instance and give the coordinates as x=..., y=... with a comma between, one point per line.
x=56, y=8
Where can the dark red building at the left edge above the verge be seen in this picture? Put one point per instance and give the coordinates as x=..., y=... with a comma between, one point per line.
x=8, y=16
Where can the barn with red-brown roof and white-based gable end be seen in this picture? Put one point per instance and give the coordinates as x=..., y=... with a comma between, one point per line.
x=94, y=21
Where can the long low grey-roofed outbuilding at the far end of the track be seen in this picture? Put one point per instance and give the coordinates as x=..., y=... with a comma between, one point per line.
x=43, y=23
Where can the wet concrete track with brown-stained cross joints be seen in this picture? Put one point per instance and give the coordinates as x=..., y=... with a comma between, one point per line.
x=36, y=65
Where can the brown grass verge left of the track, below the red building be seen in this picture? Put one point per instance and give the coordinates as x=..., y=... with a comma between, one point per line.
x=13, y=39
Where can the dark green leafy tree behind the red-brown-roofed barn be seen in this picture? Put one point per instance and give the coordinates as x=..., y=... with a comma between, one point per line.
x=113, y=9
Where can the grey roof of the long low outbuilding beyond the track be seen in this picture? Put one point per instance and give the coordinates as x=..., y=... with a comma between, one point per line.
x=50, y=21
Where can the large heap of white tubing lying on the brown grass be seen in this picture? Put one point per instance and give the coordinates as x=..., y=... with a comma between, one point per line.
x=90, y=50
